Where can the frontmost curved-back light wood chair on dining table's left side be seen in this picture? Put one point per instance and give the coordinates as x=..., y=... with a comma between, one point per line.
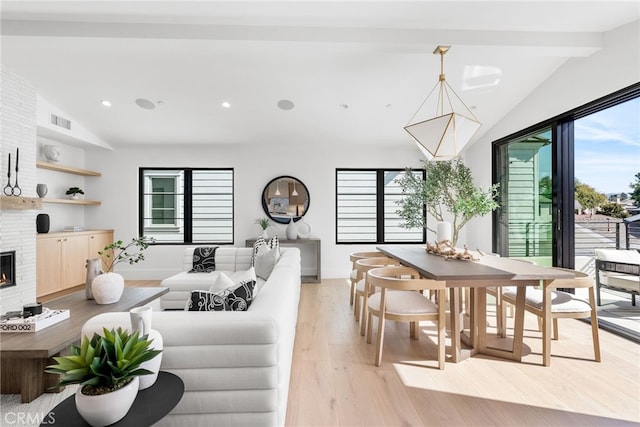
x=405, y=304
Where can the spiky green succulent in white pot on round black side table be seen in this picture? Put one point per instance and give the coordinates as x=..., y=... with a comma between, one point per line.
x=108, y=369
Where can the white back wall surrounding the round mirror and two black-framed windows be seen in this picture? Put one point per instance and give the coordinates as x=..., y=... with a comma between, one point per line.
x=253, y=169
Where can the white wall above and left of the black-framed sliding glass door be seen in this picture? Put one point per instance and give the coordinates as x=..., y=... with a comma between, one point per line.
x=577, y=82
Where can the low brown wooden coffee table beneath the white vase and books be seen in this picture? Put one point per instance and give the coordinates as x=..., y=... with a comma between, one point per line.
x=24, y=356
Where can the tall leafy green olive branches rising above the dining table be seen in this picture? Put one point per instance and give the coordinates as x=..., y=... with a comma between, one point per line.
x=447, y=189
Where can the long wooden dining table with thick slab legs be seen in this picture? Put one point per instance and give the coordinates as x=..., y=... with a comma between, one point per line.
x=485, y=270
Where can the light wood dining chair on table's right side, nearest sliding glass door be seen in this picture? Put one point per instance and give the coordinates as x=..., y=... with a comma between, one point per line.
x=561, y=304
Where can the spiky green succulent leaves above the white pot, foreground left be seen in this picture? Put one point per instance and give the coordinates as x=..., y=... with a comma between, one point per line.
x=104, y=363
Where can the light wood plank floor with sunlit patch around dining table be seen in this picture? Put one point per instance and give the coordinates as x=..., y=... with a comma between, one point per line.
x=335, y=383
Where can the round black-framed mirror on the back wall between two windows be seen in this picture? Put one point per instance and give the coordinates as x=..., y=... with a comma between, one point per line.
x=285, y=198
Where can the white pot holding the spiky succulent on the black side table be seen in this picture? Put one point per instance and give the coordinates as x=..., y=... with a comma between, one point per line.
x=109, y=408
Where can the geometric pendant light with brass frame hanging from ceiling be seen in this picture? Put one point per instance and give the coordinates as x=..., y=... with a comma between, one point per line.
x=445, y=130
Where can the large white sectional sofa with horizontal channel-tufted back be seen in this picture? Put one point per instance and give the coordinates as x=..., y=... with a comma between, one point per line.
x=235, y=365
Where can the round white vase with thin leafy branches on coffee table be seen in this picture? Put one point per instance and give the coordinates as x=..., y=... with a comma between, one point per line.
x=107, y=287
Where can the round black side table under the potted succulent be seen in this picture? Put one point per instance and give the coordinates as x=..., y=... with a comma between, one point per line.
x=150, y=406
